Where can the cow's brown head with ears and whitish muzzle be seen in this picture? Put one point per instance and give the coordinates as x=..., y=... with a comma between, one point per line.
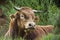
x=25, y=18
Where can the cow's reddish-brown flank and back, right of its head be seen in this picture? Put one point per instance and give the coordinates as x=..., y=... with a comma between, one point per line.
x=38, y=32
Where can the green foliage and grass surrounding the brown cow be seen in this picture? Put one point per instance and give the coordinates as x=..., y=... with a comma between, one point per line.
x=50, y=14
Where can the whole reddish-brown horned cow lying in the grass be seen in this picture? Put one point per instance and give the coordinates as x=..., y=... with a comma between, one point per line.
x=23, y=24
